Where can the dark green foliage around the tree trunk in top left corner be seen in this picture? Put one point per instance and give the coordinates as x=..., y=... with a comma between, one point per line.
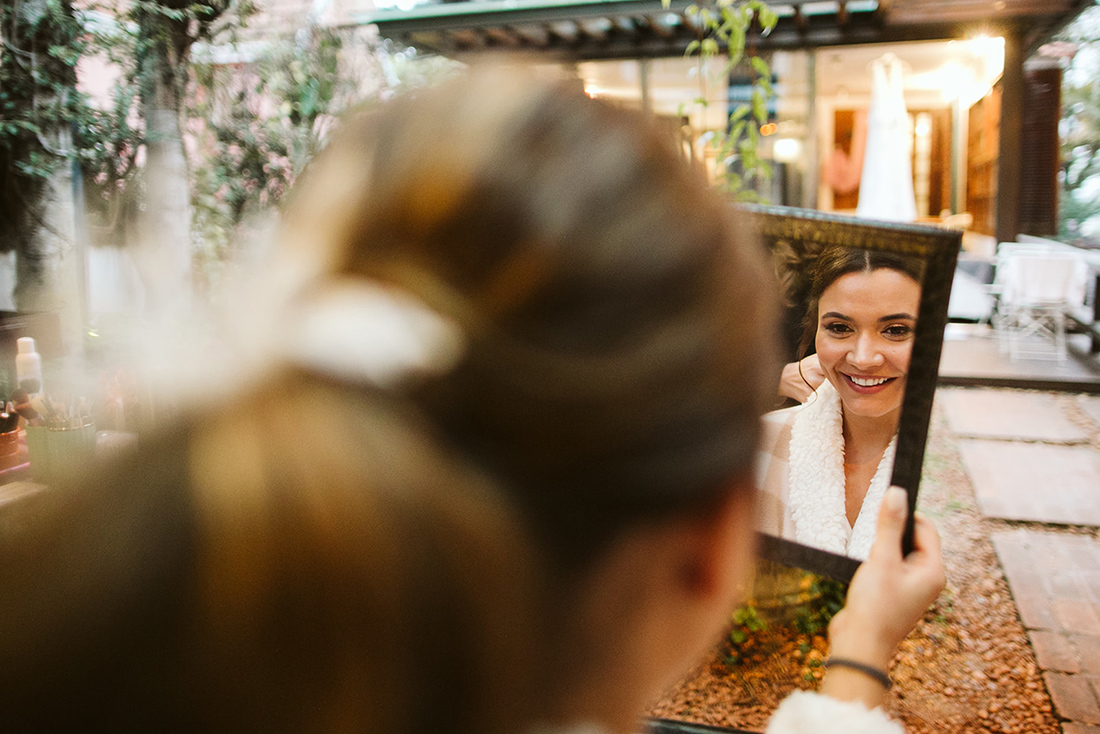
x=47, y=123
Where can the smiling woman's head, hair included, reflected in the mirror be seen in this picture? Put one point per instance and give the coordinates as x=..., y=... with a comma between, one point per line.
x=864, y=306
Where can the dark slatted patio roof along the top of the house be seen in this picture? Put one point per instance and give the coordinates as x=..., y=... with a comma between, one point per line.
x=581, y=30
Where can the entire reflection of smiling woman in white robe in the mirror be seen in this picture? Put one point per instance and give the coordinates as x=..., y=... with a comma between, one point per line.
x=826, y=464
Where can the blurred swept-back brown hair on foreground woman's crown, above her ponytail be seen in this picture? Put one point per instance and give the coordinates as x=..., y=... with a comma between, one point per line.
x=617, y=339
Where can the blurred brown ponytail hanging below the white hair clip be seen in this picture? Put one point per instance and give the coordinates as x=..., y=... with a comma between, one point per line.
x=303, y=560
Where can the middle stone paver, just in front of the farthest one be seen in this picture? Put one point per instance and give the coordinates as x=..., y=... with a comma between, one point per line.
x=1035, y=483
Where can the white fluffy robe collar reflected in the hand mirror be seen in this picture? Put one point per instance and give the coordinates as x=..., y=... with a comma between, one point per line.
x=817, y=484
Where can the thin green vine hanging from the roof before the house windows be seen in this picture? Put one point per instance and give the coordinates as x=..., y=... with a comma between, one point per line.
x=727, y=25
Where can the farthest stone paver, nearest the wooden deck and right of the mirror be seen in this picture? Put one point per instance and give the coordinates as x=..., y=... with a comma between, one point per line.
x=1008, y=414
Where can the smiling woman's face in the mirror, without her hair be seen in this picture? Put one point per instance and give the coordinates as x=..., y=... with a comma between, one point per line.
x=865, y=338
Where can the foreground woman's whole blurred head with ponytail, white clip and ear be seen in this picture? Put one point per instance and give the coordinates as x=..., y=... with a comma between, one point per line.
x=577, y=353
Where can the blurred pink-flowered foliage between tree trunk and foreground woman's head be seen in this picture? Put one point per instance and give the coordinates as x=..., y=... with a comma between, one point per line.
x=260, y=125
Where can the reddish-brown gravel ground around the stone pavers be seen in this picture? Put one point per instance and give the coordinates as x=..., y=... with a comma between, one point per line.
x=969, y=666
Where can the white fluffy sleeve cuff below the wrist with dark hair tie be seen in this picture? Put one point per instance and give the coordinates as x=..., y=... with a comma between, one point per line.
x=802, y=713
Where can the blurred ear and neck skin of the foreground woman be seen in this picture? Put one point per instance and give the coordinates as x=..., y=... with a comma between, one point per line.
x=654, y=602
